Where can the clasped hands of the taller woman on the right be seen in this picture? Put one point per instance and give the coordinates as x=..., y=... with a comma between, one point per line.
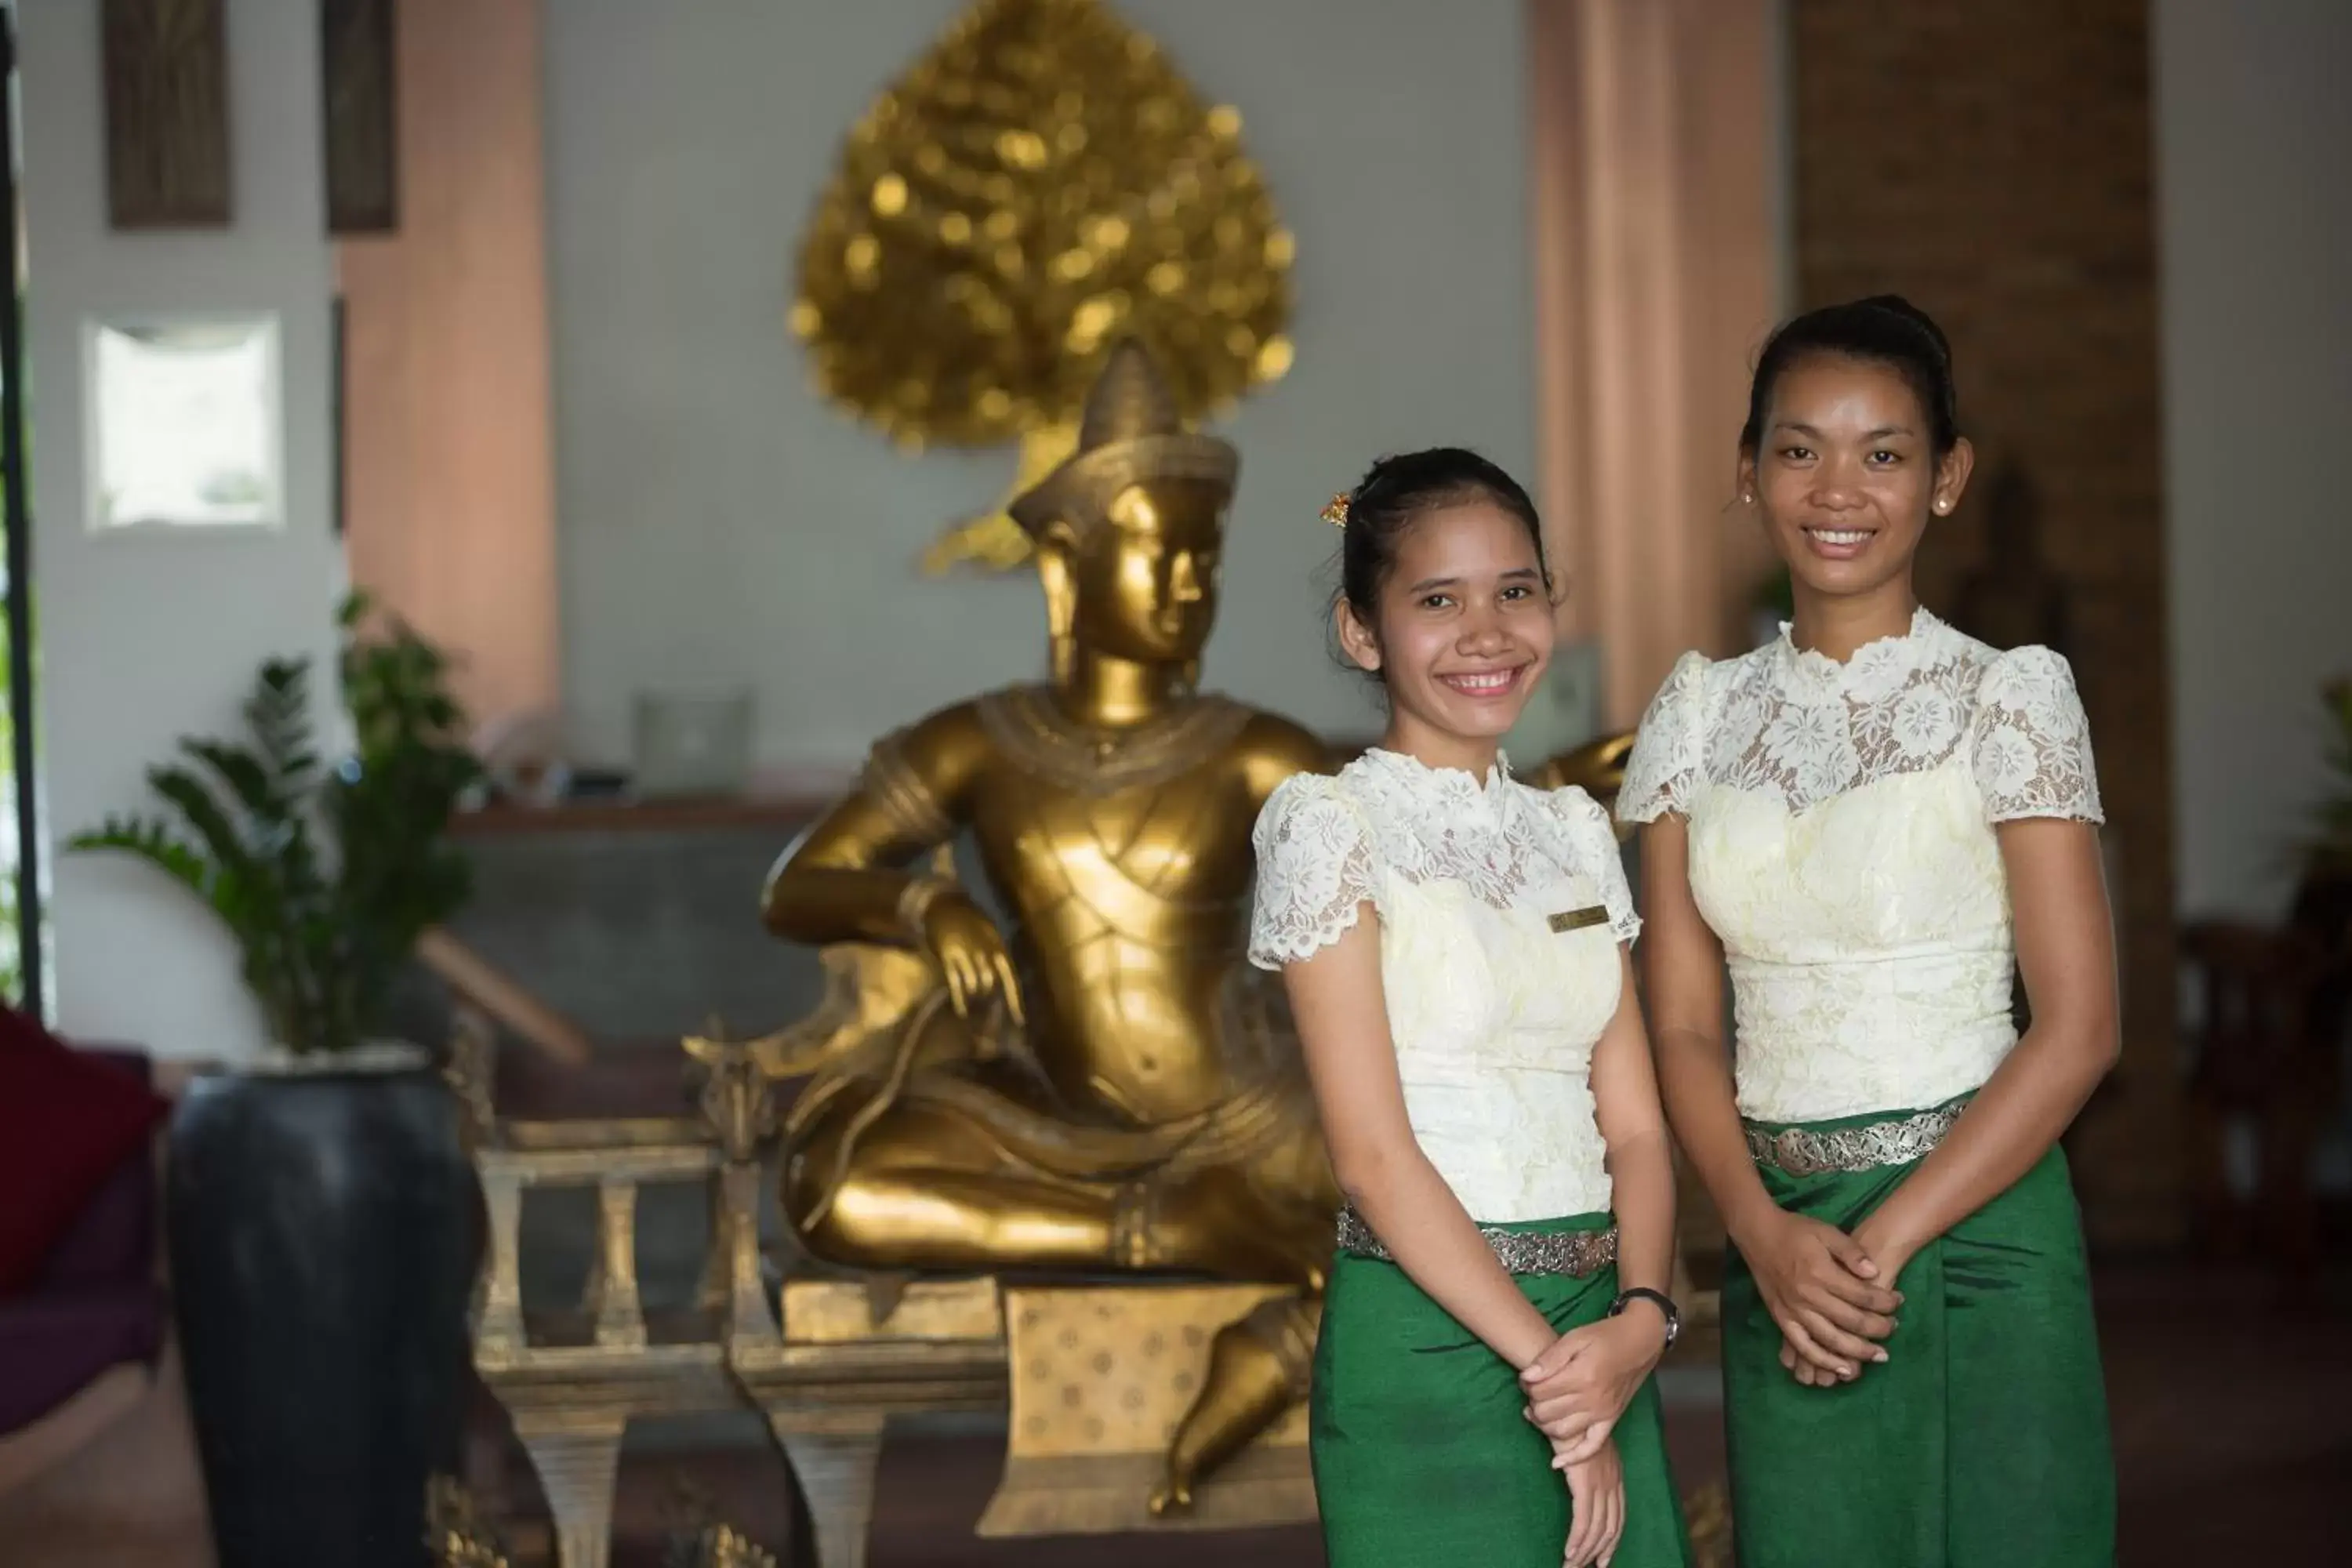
x=1831, y=1294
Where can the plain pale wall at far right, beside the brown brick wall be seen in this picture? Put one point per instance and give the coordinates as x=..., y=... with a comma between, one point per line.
x=2254, y=128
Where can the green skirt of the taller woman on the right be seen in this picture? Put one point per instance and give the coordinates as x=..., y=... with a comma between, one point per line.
x=1984, y=1435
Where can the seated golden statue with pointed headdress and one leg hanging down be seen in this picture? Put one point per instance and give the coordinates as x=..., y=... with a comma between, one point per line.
x=1102, y=1083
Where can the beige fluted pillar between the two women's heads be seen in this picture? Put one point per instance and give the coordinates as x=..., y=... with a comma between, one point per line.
x=1657, y=276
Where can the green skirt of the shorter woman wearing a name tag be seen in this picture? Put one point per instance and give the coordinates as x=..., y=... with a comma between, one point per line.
x=1422, y=1445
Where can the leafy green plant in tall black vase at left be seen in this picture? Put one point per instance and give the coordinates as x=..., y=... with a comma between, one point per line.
x=321, y=1209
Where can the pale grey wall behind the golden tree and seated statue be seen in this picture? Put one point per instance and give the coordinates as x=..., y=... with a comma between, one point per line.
x=719, y=525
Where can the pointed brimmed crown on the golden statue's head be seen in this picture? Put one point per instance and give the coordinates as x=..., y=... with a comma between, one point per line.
x=1130, y=434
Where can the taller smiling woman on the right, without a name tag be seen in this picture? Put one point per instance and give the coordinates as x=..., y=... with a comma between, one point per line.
x=1878, y=826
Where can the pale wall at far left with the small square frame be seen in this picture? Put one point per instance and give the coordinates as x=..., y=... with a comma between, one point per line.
x=152, y=638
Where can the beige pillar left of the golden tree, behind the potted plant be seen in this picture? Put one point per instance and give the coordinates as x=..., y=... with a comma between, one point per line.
x=448, y=462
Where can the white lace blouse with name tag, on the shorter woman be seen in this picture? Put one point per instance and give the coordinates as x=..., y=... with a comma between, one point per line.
x=1502, y=913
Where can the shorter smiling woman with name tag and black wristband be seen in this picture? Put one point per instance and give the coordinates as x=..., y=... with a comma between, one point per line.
x=1455, y=951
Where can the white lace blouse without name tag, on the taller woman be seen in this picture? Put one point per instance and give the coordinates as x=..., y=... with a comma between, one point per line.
x=1843, y=852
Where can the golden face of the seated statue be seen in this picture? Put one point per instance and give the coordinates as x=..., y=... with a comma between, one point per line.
x=1147, y=579
